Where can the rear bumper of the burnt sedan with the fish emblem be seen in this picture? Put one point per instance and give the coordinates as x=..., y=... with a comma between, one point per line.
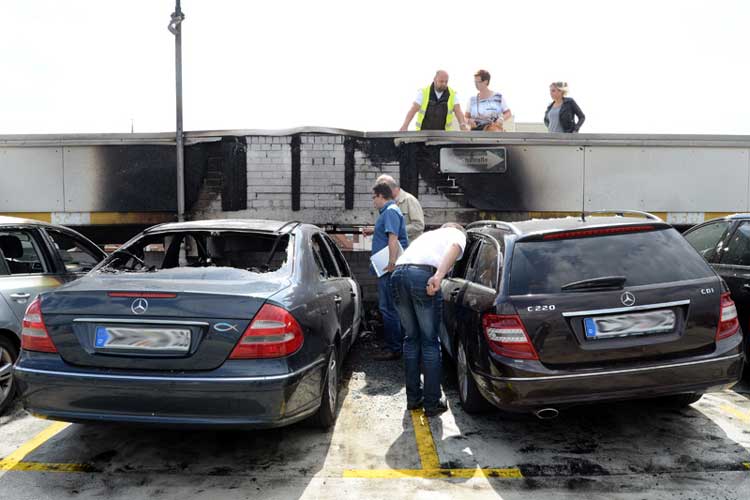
x=58, y=391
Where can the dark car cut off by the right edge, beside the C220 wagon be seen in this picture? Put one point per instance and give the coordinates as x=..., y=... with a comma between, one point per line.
x=725, y=244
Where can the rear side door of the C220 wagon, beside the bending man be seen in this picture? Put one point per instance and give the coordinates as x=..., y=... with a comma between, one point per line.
x=479, y=297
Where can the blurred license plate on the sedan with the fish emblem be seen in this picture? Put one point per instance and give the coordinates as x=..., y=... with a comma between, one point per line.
x=175, y=340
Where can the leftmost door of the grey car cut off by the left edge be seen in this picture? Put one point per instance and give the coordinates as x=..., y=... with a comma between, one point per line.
x=27, y=268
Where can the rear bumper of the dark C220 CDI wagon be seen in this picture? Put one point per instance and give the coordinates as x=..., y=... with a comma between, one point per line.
x=559, y=390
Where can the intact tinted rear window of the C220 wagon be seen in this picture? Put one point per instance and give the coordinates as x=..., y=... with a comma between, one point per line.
x=643, y=258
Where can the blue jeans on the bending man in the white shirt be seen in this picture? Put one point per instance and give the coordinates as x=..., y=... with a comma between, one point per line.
x=421, y=315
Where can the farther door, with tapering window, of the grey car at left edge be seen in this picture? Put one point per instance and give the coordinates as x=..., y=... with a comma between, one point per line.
x=74, y=255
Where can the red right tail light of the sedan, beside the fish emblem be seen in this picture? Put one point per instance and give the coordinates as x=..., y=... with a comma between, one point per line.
x=273, y=333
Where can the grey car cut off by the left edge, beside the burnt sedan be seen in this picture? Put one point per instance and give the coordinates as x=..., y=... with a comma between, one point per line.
x=34, y=257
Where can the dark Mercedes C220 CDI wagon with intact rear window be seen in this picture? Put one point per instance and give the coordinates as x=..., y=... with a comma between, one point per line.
x=545, y=314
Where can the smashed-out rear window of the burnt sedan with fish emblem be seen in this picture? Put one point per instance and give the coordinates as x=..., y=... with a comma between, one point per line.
x=216, y=254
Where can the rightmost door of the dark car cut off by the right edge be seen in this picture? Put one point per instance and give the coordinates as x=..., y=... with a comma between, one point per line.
x=734, y=267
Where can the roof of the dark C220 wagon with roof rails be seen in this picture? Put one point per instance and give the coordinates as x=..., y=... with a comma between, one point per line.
x=539, y=226
